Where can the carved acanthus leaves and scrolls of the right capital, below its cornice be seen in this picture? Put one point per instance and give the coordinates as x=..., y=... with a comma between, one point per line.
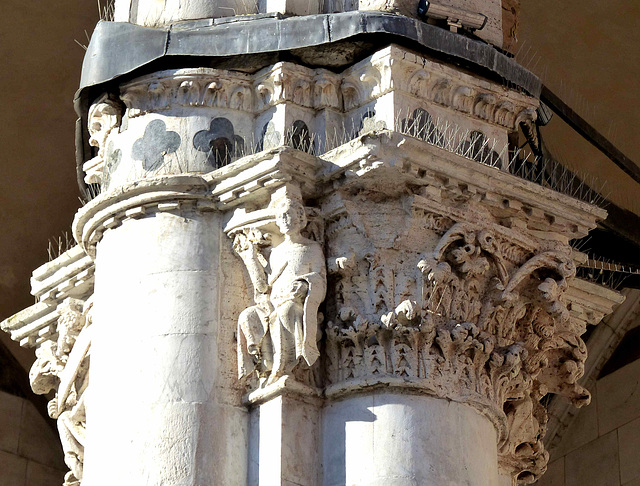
x=483, y=324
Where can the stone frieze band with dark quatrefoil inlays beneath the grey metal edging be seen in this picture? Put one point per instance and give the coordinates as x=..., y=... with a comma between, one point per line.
x=234, y=114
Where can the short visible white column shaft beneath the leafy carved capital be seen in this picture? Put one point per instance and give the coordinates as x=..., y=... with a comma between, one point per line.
x=386, y=438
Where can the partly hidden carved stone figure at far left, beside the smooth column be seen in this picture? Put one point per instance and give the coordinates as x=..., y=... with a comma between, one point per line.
x=63, y=365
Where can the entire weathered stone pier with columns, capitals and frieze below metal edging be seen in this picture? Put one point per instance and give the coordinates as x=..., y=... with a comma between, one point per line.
x=399, y=254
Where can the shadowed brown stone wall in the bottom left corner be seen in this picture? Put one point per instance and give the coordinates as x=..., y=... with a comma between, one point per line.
x=30, y=452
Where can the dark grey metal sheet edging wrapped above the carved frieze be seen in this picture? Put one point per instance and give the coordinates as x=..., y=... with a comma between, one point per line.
x=118, y=48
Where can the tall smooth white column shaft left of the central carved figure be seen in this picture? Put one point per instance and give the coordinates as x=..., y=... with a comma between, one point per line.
x=158, y=411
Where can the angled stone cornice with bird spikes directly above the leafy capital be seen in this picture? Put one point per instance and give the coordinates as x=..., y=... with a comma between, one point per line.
x=416, y=162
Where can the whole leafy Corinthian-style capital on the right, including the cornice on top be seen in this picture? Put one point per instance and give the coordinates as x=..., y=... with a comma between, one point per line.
x=457, y=290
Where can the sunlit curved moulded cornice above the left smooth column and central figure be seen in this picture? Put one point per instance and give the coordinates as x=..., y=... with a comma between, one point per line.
x=251, y=179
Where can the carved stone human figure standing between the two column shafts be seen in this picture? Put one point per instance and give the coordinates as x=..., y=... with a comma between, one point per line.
x=281, y=329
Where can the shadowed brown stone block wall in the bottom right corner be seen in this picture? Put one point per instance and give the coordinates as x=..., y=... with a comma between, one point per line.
x=602, y=445
